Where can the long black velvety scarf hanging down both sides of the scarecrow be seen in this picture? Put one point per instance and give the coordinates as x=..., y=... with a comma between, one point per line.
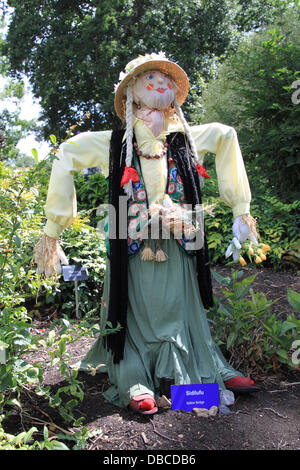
x=118, y=297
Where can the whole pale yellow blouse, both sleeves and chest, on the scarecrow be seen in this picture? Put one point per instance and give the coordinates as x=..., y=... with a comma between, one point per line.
x=90, y=149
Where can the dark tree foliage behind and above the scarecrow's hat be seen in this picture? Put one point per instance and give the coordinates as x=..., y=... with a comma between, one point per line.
x=73, y=51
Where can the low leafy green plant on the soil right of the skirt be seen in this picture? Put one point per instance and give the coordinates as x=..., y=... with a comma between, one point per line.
x=247, y=330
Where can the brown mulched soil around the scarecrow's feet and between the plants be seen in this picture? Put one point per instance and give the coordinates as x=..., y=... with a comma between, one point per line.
x=268, y=420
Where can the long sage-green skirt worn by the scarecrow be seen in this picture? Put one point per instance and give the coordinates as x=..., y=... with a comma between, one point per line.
x=168, y=335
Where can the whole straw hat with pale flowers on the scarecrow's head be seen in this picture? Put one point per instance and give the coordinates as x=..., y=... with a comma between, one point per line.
x=150, y=62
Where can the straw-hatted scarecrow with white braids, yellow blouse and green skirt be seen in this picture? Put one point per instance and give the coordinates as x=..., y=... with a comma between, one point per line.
x=156, y=163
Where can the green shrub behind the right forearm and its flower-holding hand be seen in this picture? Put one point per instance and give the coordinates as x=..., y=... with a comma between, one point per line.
x=278, y=222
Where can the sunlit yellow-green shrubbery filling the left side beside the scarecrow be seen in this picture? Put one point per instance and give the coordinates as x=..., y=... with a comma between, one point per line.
x=21, y=220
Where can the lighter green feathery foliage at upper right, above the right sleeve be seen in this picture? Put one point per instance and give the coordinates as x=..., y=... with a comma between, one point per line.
x=258, y=92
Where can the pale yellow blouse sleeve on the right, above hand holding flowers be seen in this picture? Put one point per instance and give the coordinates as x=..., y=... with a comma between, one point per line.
x=232, y=177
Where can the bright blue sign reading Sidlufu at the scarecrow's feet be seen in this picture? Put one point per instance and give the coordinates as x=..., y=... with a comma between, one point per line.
x=188, y=397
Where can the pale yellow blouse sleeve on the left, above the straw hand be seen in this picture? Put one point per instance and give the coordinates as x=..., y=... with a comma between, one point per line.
x=85, y=150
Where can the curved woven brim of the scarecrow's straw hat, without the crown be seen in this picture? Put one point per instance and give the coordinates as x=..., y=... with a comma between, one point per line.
x=174, y=71
